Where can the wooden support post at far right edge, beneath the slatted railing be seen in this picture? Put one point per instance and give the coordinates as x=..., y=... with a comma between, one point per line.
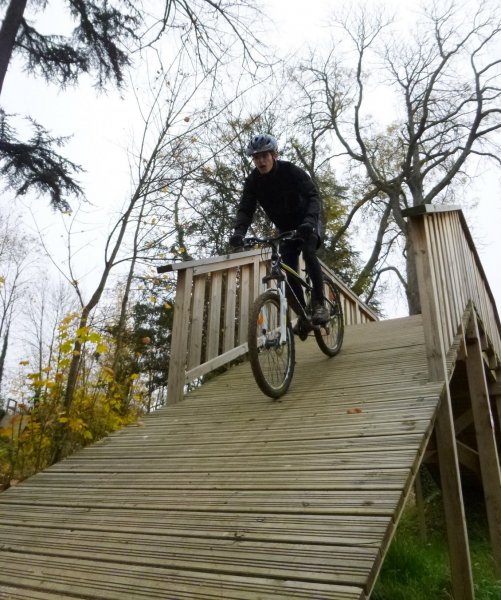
x=485, y=434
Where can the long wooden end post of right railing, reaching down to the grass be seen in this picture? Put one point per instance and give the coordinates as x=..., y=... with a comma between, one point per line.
x=457, y=536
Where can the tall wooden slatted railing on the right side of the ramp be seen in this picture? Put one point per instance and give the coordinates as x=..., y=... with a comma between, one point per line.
x=451, y=279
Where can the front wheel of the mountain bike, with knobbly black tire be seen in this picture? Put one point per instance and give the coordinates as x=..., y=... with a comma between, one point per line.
x=272, y=362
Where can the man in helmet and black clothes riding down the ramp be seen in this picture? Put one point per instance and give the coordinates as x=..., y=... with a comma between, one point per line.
x=291, y=201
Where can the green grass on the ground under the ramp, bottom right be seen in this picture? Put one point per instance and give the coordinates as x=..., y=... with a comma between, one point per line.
x=418, y=569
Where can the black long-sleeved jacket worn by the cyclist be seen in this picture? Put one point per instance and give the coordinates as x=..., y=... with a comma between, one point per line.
x=287, y=195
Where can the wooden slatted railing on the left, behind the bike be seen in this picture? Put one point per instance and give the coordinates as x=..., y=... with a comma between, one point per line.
x=211, y=311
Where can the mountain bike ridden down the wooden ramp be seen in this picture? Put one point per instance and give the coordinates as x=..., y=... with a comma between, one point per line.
x=271, y=342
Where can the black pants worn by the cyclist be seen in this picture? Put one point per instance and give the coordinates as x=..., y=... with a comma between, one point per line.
x=290, y=255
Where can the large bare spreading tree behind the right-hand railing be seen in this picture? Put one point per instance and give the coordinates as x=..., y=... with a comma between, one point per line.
x=446, y=83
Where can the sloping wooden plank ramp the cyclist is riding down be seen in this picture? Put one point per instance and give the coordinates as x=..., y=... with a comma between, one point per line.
x=230, y=495
